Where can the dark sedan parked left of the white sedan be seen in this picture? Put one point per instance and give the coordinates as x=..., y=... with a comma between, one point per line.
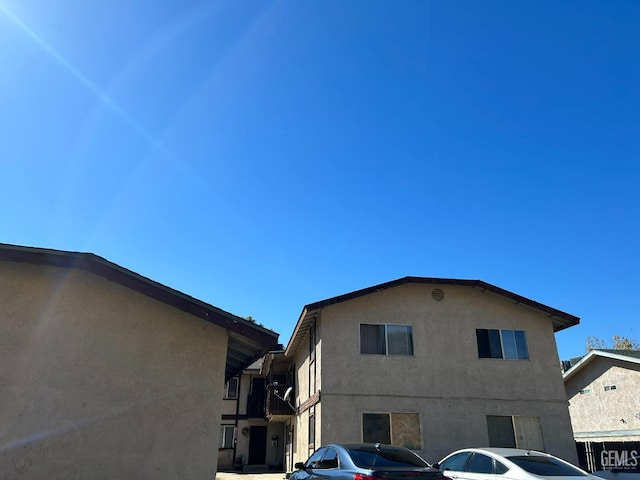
x=364, y=461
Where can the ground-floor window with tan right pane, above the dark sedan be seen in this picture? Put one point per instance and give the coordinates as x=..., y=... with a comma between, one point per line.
x=401, y=429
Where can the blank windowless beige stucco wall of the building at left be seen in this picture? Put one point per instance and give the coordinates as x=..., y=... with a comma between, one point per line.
x=98, y=381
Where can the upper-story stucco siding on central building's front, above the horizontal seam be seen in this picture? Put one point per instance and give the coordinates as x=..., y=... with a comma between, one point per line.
x=445, y=349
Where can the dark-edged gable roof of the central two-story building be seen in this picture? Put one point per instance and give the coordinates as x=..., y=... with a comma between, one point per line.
x=560, y=320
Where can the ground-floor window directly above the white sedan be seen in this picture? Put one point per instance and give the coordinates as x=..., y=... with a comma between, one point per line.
x=515, y=432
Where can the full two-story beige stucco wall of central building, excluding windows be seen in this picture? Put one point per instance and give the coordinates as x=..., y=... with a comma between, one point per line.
x=445, y=382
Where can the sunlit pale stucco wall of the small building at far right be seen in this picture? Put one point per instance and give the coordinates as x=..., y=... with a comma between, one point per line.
x=598, y=415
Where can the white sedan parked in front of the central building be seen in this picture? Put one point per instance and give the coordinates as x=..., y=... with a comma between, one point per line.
x=508, y=464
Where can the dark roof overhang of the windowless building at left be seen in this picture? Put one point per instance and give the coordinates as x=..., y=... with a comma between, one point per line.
x=246, y=343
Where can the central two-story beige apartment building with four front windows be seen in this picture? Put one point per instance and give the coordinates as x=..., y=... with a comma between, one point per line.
x=431, y=364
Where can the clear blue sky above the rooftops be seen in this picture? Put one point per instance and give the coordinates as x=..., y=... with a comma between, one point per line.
x=263, y=155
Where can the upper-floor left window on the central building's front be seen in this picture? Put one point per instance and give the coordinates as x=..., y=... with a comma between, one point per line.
x=386, y=339
